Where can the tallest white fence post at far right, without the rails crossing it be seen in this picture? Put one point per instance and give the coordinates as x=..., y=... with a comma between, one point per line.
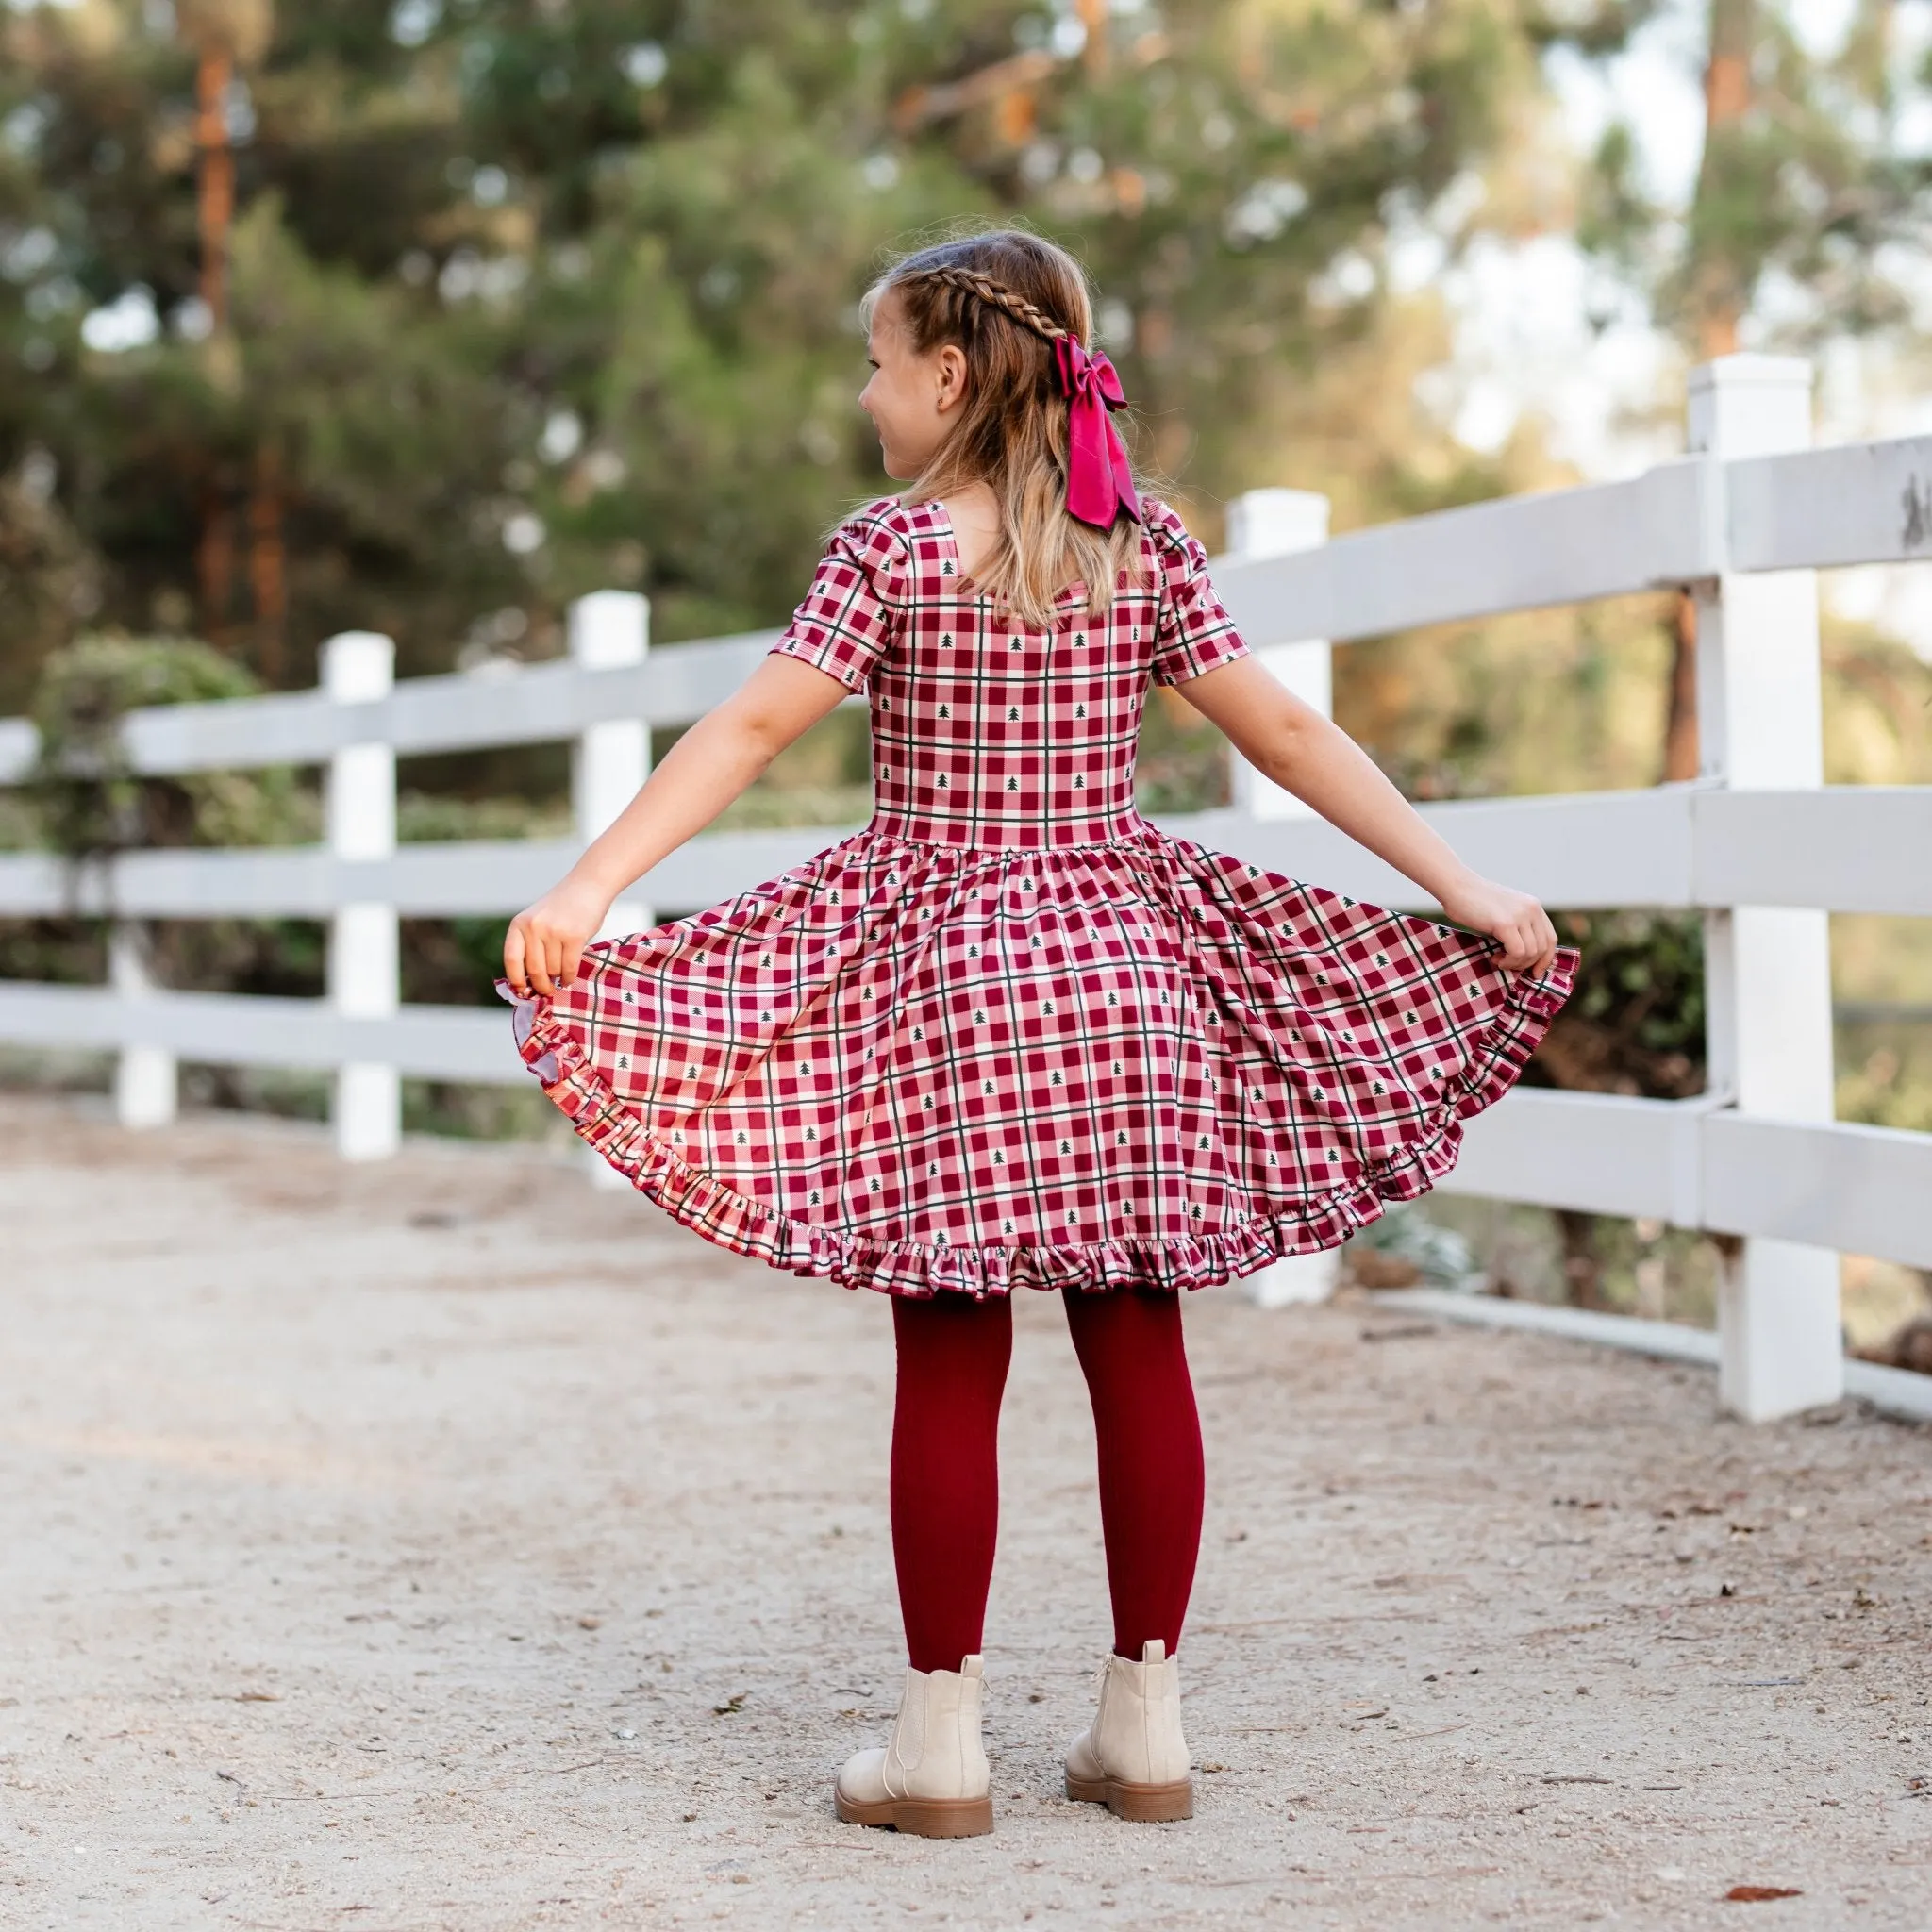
x=1767, y=969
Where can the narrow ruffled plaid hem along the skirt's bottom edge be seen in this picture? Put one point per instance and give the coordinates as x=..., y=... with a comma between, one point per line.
x=743, y=1226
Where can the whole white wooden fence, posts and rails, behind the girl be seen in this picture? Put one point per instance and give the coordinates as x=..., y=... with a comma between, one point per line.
x=1757, y=841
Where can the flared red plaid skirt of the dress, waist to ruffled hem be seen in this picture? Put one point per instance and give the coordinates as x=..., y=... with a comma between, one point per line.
x=936, y=1067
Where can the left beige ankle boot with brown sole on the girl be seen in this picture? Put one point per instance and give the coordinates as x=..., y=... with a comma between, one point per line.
x=932, y=1780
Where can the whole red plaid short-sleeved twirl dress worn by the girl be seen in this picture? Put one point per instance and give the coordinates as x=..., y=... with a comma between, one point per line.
x=1009, y=1035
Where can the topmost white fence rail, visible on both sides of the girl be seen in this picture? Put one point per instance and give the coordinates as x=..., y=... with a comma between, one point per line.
x=1676, y=525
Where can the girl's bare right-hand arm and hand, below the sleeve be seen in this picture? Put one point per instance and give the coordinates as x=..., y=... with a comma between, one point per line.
x=1322, y=766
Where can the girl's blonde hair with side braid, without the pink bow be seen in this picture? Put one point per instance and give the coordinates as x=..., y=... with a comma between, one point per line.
x=1004, y=298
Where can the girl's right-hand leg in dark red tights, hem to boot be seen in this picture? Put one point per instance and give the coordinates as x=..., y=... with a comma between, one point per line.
x=1151, y=1458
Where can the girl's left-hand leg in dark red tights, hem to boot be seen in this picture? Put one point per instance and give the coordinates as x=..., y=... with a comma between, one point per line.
x=953, y=1359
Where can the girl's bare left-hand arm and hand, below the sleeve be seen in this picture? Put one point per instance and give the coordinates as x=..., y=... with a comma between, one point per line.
x=702, y=774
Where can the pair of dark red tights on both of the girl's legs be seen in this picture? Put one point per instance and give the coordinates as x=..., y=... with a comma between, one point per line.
x=953, y=1359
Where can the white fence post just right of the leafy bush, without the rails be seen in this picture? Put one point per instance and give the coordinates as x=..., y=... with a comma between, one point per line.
x=364, y=955
